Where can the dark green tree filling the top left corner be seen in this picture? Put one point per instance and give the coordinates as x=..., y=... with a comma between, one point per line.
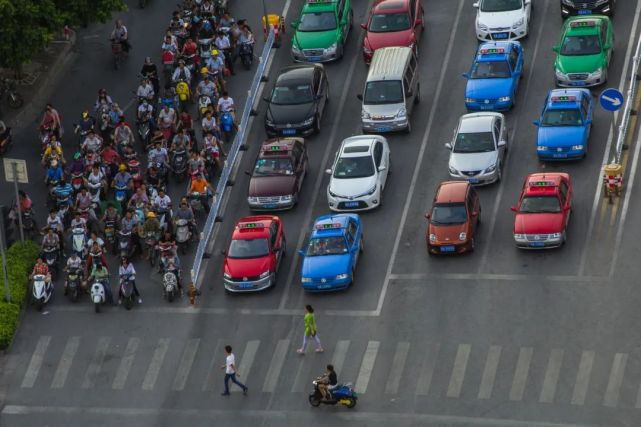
x=27, y=26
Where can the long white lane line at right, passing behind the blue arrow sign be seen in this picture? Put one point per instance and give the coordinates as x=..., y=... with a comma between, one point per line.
x=608, y=145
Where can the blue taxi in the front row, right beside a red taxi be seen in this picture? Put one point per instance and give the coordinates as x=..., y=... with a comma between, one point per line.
x=334, y=247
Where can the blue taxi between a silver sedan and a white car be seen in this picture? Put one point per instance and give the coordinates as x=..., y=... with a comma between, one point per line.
x=493, y=80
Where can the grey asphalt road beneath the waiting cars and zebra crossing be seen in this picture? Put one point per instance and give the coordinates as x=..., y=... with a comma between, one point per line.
x=498, y=337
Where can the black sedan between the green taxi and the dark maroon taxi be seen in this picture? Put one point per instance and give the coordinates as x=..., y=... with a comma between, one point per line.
x=297, y=101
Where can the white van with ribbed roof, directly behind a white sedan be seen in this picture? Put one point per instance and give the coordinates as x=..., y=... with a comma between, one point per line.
x=391, y=91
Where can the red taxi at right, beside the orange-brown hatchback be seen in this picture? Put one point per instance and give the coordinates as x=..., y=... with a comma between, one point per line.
x=543, y=211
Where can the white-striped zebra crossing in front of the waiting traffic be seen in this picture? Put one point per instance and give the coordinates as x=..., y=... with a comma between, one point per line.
x=431, y=370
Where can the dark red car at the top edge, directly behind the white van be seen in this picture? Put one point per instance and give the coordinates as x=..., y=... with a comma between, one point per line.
x=393, y=23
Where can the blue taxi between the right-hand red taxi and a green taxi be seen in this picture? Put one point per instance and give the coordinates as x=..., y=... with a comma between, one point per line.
x=564, y=125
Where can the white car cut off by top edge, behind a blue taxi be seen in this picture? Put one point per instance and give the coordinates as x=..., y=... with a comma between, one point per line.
x=502, y=19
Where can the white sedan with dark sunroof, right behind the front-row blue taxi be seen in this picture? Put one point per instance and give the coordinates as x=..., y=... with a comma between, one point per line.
x=359, y=174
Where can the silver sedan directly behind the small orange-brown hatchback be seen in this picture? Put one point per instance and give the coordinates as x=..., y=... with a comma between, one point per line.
x=478, y=148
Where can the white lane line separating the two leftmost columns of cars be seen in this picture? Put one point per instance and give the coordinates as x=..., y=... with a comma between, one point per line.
x=317, y=188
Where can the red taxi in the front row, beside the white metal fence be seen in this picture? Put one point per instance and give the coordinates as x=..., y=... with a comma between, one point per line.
x=254, y=254
